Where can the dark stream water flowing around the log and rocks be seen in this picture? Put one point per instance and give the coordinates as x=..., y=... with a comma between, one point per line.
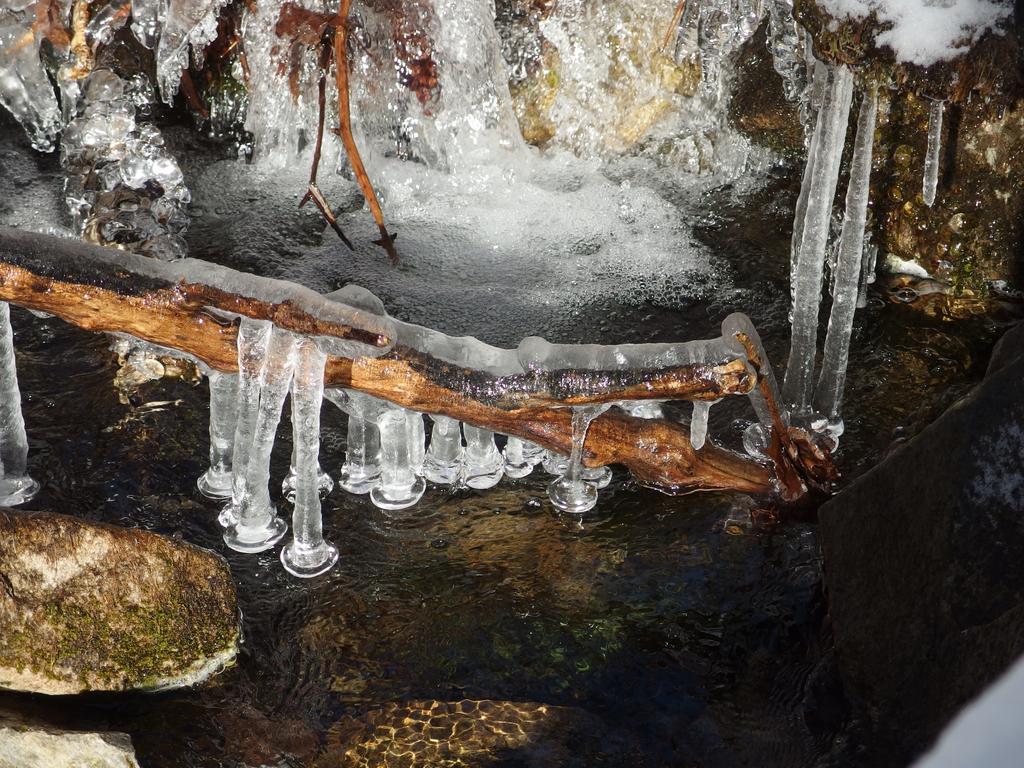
x=672, y=631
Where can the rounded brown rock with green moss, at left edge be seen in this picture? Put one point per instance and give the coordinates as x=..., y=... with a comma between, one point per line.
x=86, y=607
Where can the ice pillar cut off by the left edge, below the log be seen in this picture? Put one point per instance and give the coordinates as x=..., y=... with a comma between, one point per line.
x=16, y=486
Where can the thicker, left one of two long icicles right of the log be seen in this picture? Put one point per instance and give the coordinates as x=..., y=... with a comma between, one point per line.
x=831, y=133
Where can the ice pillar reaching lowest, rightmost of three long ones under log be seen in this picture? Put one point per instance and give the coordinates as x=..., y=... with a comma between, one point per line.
x=308, y=554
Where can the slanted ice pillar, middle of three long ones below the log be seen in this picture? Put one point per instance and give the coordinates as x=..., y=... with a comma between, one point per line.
x=258, y=527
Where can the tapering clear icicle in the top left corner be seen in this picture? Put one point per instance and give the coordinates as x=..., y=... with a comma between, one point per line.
x=25, y=90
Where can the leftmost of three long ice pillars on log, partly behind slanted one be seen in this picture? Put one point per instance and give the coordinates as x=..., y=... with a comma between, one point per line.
x=254, y=336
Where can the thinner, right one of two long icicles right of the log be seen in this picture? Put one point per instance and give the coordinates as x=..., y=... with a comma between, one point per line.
x=849, y=261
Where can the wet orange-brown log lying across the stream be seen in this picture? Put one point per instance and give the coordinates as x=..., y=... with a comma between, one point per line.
x=189, y=307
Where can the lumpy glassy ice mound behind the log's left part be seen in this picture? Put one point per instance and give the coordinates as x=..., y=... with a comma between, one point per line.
x=123, y=187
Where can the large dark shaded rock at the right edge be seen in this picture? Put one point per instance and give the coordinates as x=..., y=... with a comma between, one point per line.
x=923, y=566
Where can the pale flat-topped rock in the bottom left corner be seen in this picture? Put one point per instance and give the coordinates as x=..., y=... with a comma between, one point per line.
x=27, y=747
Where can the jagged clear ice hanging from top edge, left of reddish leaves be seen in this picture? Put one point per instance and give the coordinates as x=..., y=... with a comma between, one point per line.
x=188, y=25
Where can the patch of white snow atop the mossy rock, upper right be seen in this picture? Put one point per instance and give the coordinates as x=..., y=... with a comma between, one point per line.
x=925, y=32
